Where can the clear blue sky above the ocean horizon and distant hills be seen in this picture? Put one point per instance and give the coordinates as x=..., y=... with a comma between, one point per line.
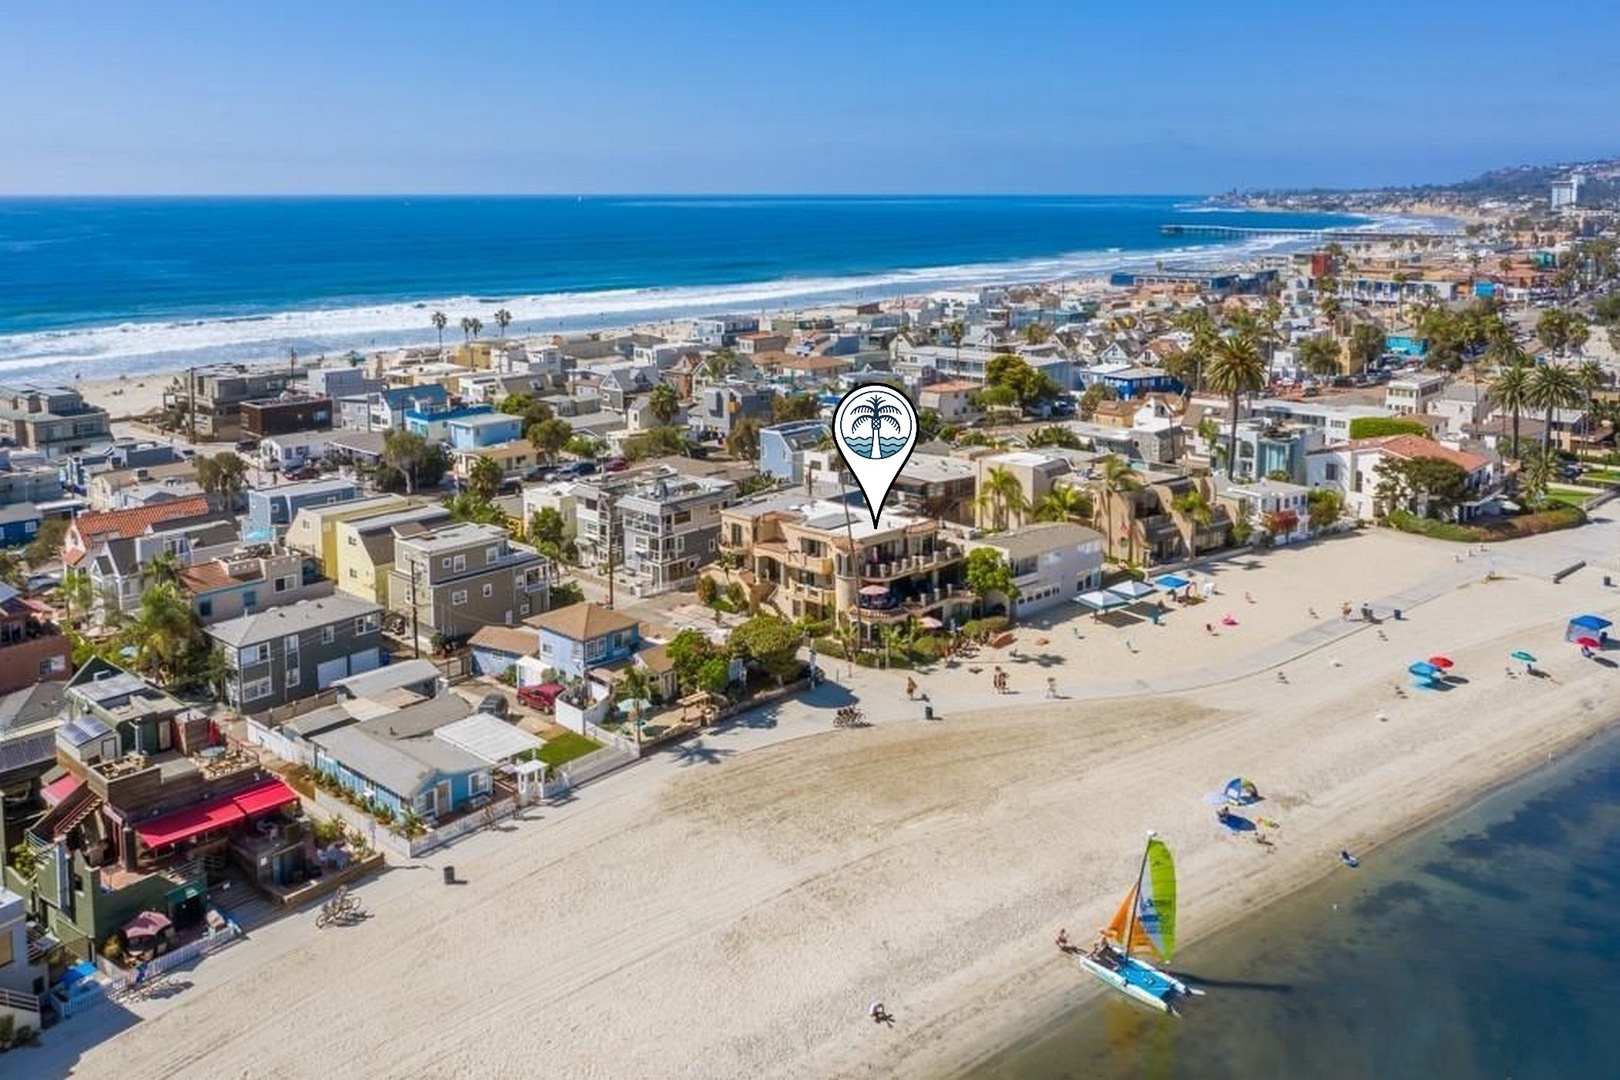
x=840, y=96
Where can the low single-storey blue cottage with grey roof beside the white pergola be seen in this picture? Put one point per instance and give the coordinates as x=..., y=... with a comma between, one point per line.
x=396, y=760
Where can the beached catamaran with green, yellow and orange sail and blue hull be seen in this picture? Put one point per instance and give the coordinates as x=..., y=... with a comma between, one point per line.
x=1146, y=924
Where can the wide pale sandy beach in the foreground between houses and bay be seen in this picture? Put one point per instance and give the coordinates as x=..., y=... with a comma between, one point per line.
x=730, y=908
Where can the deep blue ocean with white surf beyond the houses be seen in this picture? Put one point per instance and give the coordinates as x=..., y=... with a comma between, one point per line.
x=104, y=287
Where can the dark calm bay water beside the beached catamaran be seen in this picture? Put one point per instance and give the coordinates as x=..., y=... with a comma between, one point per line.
x=1486, y=946
